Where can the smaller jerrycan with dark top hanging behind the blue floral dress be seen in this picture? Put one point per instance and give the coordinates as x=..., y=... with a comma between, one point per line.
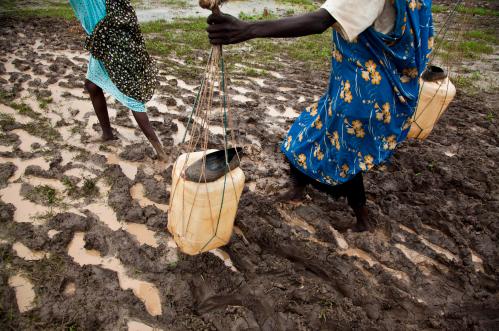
x=436, y=93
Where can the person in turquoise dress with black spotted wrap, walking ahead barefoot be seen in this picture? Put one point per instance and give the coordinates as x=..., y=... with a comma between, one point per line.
x=91, y=13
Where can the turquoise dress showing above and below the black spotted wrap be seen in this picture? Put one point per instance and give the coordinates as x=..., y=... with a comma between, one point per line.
x=89, y=13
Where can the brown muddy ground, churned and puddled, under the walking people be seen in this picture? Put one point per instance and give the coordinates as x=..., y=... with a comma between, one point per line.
x=83, y=242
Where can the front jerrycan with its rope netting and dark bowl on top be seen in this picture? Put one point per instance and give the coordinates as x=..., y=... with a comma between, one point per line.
x=206, y=183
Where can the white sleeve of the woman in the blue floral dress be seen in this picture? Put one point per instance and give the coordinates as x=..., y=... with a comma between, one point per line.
x=353, y=16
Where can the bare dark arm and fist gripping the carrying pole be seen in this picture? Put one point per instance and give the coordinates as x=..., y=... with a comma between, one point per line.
x=226, y=29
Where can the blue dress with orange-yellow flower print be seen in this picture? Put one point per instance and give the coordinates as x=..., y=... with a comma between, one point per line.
x=367, y=109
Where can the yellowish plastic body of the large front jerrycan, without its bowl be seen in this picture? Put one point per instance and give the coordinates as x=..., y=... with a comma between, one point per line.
x=201, y=215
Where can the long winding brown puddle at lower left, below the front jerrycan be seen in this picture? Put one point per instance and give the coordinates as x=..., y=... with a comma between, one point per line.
x=145, y=291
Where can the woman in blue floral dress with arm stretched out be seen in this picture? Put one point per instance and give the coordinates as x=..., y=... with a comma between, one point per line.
x=379, y=50
